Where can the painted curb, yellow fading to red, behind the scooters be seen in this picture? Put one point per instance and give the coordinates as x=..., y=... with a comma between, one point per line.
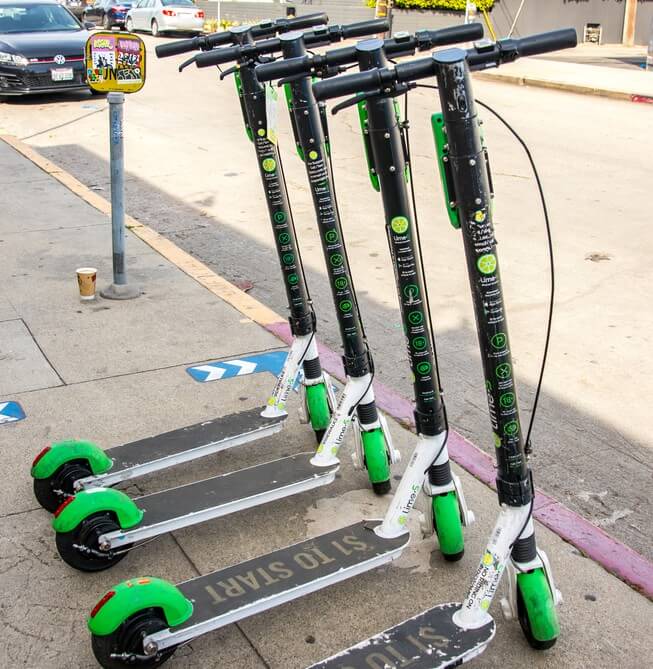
x=614, y=556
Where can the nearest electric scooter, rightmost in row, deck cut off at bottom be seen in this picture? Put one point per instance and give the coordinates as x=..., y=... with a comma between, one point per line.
x=450, y=634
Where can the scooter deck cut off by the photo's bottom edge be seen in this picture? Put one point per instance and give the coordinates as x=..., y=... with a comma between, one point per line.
x=430, y=640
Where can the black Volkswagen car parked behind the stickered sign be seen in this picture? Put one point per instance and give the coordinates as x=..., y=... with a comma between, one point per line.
x=41, y=48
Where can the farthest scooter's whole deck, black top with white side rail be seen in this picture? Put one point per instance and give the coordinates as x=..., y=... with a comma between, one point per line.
x=187, y=443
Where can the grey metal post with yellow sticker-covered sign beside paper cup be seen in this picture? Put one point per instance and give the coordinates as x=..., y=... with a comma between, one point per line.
x=115, y=64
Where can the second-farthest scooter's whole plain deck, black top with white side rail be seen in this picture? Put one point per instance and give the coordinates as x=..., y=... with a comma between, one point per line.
x=218, y=496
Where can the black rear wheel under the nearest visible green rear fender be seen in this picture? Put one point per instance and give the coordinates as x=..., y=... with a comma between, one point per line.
x=124, y=647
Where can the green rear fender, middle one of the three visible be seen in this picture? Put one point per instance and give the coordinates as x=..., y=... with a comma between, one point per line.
x=97, y=500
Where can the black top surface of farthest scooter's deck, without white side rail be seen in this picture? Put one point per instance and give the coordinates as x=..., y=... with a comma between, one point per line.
x=186, y=439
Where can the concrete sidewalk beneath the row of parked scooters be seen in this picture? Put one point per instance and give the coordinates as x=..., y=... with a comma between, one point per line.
x=115, y=372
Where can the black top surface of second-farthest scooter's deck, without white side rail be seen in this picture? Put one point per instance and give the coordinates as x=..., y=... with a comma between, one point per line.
x=239, y=489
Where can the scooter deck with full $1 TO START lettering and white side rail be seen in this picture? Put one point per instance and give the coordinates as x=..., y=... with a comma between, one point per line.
x=242, y=590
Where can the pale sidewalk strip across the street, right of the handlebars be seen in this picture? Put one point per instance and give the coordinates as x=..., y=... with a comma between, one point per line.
x=587, y=69
